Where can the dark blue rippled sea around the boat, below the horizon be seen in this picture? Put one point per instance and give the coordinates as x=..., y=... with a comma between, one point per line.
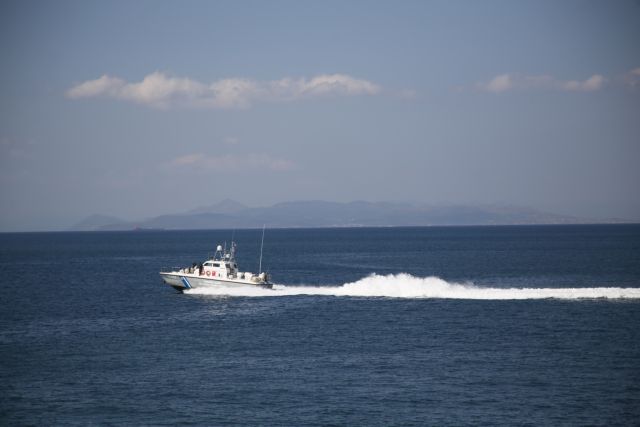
x=504, y=325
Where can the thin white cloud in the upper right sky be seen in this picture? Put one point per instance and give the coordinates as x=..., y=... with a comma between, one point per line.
x=505, y=82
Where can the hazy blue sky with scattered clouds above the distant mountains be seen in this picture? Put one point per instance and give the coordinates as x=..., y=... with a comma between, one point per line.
x=136, y=109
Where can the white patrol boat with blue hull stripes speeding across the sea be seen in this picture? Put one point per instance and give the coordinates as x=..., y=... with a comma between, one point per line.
x=220, y=270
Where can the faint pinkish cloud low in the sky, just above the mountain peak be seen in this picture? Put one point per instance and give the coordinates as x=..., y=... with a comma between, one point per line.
x=250, y=162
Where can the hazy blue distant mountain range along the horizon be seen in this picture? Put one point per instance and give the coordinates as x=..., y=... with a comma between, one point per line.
x=231, y=214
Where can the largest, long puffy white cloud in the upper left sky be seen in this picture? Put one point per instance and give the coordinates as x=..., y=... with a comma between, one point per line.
x=161, y=91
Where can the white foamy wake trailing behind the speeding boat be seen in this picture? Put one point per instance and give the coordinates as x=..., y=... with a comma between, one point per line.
x=407, y=286
